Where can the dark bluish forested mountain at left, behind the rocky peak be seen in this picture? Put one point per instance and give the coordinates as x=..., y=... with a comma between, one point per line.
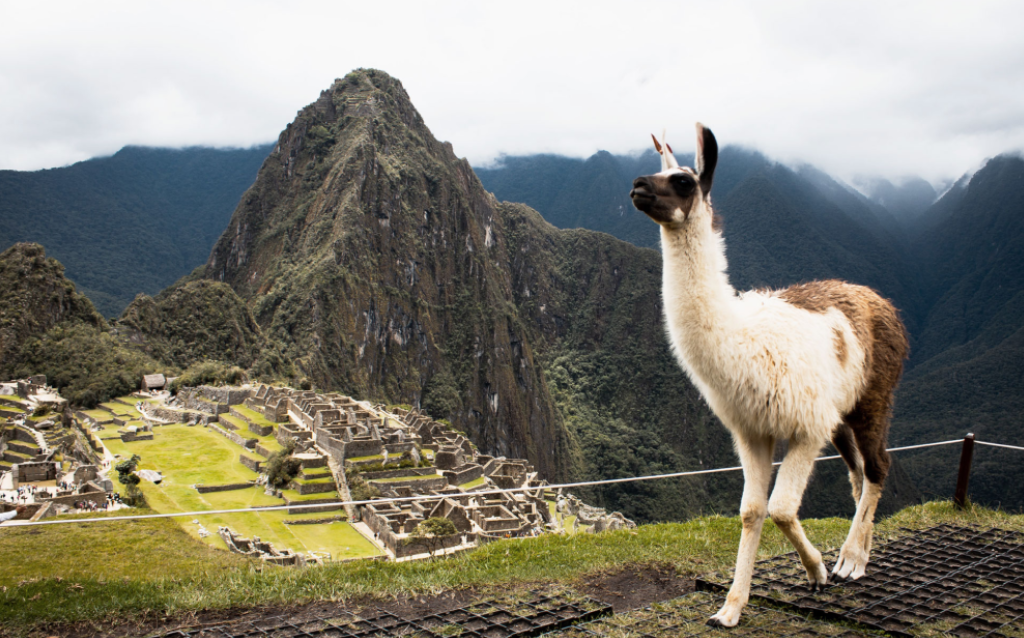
x=133, y=223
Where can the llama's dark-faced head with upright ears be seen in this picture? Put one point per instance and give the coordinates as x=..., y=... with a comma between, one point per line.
x=677, y=196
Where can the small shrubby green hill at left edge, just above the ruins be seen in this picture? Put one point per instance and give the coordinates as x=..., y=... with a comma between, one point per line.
x=49, y=328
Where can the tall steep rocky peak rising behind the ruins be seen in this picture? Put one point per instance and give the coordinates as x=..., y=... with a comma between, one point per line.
x=378, y=262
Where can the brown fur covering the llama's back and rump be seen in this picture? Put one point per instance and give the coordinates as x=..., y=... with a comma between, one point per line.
x=878, y=328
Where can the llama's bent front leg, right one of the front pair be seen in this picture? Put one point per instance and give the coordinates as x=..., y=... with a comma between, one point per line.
x=785, y=506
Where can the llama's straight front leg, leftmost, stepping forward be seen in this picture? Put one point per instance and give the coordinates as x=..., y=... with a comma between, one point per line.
x=755, y=455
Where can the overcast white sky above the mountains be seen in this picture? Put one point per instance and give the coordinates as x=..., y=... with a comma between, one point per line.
x=861, y=89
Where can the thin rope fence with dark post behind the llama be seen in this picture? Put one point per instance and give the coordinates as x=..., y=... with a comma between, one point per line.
x=960, y=498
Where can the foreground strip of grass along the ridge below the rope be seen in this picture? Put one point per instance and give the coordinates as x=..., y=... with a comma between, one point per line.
x=154, y=567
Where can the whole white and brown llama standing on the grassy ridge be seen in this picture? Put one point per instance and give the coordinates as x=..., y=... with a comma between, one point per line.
x=808, y=364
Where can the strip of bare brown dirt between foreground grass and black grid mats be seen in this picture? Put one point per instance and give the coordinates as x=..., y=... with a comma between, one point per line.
x=632, y=587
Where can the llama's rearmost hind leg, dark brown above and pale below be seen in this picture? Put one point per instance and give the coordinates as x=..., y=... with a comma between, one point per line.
x=857, y=550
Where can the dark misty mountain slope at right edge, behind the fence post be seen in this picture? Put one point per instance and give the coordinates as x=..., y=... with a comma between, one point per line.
x=968, y=371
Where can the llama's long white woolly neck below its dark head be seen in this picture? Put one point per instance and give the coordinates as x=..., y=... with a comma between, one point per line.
x=701, y=306
